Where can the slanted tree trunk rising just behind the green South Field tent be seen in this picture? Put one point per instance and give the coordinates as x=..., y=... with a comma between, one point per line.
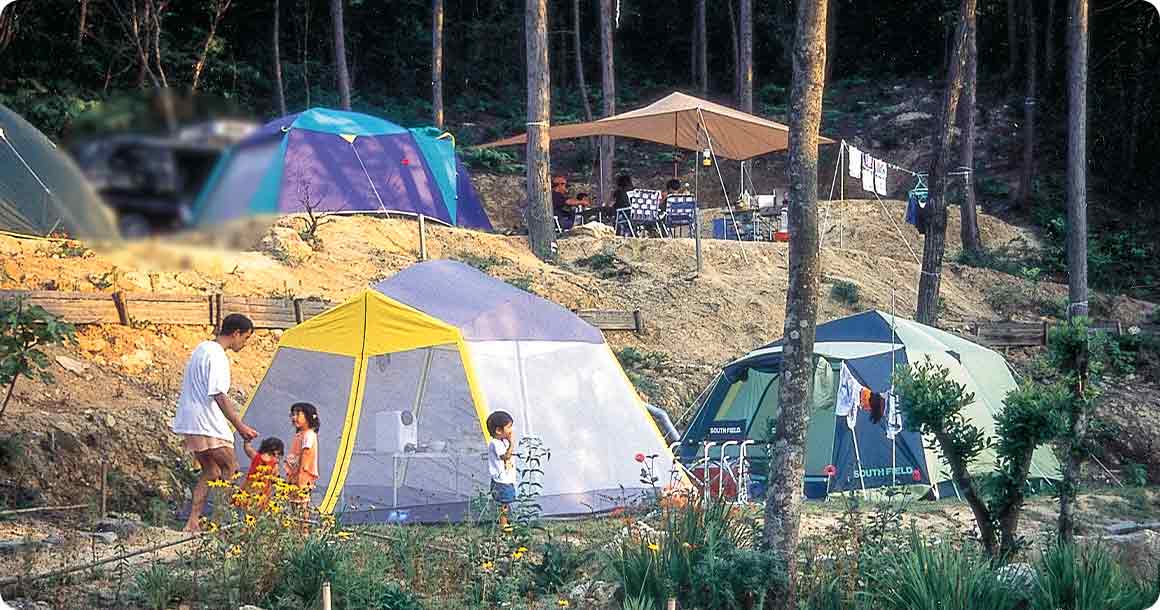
x=936, y=243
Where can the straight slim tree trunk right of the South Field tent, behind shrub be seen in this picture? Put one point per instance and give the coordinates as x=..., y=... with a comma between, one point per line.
x=1077, y=246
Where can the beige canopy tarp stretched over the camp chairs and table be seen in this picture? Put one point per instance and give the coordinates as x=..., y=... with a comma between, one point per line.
x=677, y=120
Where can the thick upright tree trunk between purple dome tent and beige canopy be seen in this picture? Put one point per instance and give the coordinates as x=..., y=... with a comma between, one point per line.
x=541, y=230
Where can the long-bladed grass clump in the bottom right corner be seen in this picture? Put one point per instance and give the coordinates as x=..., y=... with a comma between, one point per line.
x=1087, y=578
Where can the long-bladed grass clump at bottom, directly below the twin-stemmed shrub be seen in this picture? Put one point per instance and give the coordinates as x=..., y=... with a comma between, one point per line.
x=930, y=577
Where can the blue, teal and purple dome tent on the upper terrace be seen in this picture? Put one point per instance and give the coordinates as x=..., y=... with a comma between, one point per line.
x=342, y=163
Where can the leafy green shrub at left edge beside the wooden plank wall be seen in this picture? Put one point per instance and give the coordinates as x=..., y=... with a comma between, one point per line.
x=24, y=331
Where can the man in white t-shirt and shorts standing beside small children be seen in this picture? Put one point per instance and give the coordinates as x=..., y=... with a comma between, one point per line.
x=206, y=410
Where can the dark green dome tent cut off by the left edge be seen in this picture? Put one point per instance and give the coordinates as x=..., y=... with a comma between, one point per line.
x=42, y=192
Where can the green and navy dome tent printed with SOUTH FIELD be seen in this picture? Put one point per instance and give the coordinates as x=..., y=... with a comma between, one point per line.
x=860, y=449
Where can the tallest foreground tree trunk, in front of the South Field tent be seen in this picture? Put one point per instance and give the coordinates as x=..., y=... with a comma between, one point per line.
x=787, y=452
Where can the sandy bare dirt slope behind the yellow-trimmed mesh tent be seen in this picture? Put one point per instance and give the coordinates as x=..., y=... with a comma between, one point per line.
x=121, y=404
